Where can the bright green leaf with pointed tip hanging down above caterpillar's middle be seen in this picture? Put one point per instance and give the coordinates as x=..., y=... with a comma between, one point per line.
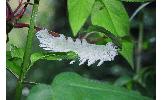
x=79, y=10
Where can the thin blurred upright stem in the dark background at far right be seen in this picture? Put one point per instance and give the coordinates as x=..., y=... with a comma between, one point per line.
x=139, y=46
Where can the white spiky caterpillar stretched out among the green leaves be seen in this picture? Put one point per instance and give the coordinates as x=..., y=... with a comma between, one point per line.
x=85, y=51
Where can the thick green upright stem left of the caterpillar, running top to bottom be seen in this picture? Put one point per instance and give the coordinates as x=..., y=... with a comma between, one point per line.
x=27, y=54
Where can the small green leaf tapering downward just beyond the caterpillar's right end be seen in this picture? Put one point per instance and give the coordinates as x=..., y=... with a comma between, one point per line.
x=128, y=51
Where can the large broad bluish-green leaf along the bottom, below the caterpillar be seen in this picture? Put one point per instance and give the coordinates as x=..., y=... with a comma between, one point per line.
x=71, y=86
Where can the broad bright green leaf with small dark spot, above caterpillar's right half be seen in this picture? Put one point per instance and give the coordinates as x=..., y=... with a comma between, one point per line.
x=111, y=15
